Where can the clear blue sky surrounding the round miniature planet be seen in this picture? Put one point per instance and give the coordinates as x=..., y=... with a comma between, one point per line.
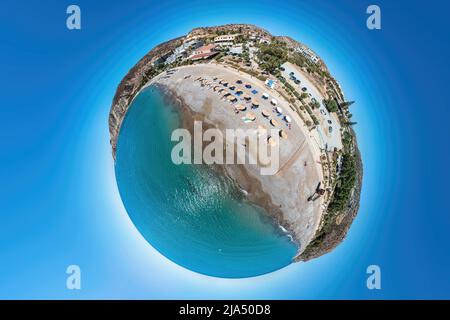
x=59, y=202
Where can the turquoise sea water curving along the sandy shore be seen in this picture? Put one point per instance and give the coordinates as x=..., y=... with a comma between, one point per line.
x=193, y=216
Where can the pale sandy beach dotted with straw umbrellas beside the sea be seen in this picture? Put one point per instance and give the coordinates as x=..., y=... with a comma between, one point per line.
x=285, y=194
